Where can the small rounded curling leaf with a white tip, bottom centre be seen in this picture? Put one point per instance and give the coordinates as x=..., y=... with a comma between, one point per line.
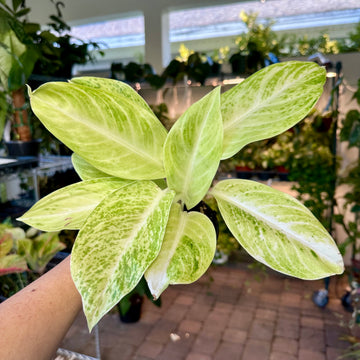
x=186, y=253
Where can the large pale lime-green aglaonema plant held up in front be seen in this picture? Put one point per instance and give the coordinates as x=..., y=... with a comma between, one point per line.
x=133, y=222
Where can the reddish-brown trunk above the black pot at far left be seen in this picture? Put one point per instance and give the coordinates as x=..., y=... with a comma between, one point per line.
x=21, y=126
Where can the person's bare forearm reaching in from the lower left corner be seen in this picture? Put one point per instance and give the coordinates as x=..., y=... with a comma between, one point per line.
x=34, y=321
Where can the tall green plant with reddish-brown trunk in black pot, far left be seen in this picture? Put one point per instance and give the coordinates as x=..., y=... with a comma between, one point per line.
x=18, y=56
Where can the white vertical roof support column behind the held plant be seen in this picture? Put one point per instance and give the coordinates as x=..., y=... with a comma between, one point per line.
x=157, y=37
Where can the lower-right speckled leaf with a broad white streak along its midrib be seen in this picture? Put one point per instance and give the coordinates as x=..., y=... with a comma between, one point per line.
x=277, y=230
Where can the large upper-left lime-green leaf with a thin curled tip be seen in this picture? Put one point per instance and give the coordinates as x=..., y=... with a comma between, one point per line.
x=112, y=133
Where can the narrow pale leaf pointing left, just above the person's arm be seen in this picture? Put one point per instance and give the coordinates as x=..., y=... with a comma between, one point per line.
x=68, y=207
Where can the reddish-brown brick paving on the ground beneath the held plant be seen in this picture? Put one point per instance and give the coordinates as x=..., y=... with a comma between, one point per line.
x=231, y=313
